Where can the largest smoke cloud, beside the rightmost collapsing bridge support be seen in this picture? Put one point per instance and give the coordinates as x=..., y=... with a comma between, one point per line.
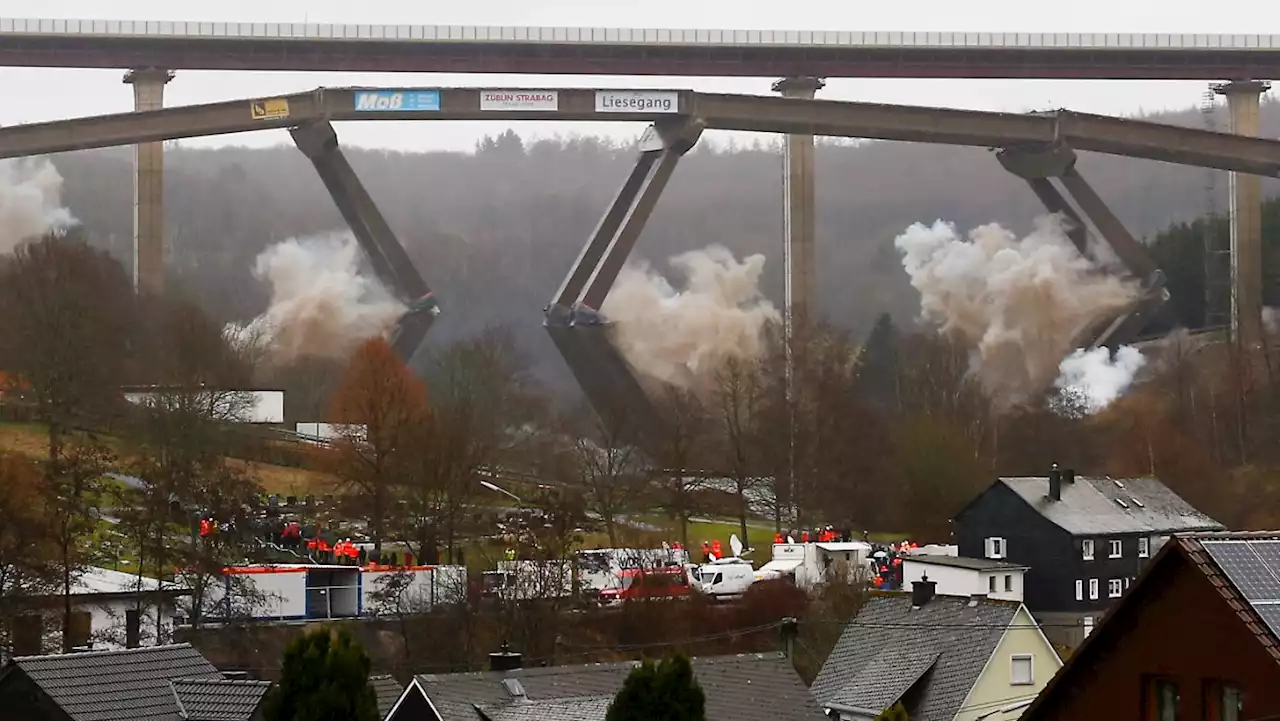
x=1021, y=304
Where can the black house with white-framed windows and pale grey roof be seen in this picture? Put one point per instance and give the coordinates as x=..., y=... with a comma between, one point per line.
x=1085, y=540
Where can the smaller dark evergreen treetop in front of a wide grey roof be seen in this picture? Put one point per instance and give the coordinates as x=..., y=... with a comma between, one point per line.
x=662, y=692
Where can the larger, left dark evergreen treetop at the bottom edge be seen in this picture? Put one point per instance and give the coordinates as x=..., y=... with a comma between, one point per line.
x=324, y=678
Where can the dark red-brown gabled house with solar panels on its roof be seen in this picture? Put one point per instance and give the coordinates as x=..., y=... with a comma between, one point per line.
x=1196, y=637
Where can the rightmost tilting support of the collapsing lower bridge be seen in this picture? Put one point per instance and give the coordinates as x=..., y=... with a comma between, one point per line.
x=1040, y=166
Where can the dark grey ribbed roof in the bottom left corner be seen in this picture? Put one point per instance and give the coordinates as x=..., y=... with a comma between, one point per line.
x=117, y=686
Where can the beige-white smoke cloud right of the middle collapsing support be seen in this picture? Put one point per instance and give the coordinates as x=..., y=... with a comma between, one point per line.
x=683, y=337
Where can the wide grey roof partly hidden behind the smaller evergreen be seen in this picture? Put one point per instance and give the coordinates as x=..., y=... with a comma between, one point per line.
x=755, y=687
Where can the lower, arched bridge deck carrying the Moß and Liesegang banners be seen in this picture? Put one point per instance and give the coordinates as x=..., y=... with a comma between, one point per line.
x=1116, y=136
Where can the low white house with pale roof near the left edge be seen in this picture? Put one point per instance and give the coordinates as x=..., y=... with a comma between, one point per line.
x=112, y=610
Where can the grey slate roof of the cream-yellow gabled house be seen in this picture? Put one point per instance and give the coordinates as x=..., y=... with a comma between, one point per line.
x=945, y=644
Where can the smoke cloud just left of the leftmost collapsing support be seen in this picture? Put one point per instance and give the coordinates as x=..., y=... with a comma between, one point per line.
x=321, y=303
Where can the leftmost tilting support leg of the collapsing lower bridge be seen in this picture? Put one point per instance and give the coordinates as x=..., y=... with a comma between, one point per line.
x=392, y=266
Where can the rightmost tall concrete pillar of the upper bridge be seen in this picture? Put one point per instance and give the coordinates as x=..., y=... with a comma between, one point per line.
x=1244, y=102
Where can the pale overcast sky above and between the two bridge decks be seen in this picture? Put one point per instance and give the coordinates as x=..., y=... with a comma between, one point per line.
x=34, y=95
